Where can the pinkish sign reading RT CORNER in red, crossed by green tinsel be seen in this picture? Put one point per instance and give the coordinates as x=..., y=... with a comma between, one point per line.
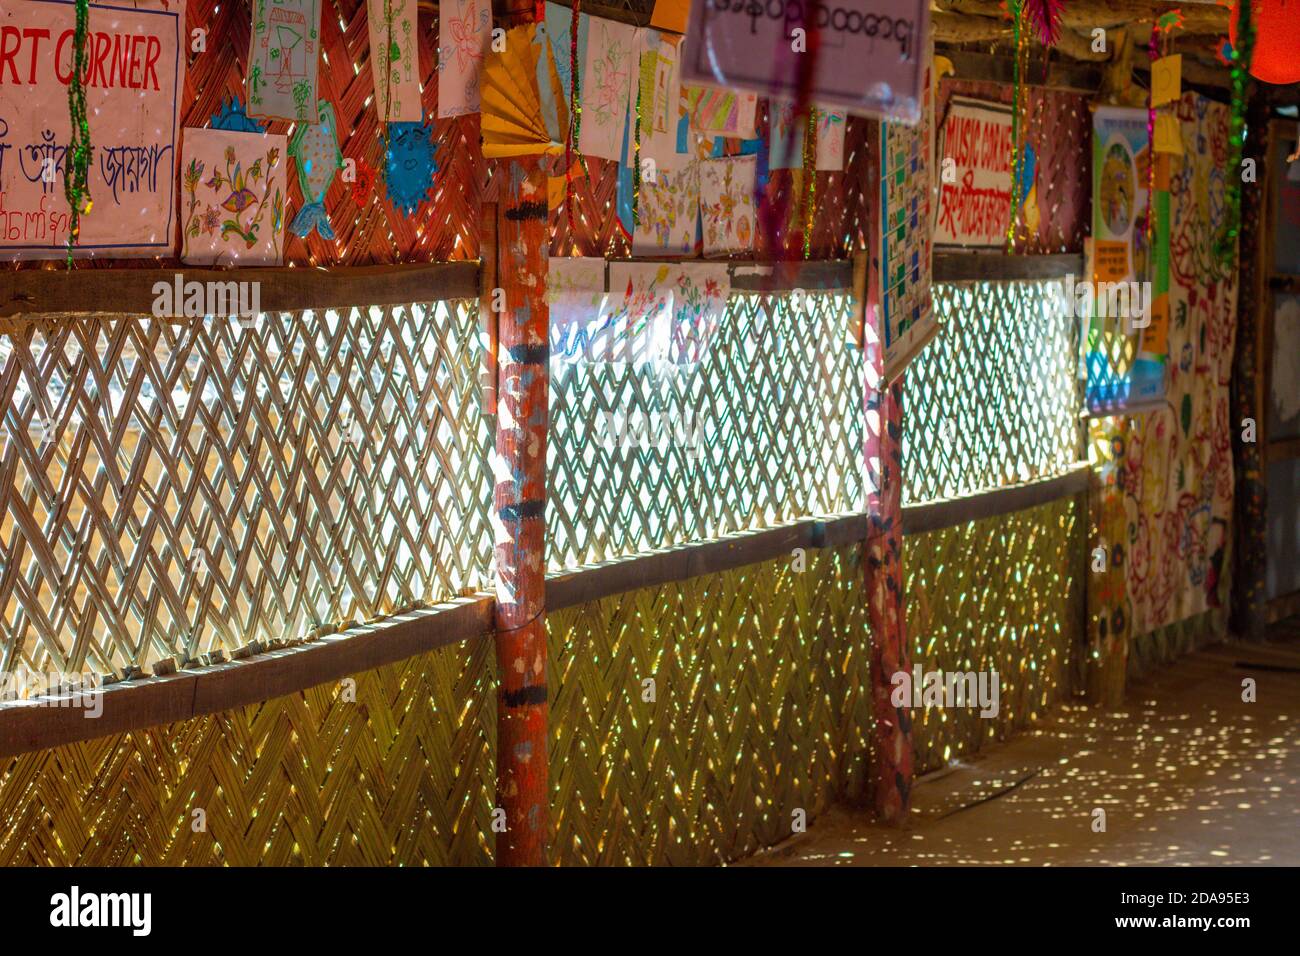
x=135, y=76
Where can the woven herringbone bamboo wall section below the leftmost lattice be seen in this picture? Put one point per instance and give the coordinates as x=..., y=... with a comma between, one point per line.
x=404, y=775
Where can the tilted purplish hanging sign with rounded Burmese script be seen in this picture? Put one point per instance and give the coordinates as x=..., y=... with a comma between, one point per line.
x=872, y=54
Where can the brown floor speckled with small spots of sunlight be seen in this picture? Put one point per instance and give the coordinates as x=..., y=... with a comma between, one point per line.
x=1188, y=775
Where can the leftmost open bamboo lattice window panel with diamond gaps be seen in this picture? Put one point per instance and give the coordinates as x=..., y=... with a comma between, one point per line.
x=172, y=488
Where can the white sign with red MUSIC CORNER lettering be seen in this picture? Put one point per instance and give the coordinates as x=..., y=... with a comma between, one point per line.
x=976, y=175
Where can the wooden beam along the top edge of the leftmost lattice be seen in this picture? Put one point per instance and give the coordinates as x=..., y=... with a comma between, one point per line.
x=41, y=293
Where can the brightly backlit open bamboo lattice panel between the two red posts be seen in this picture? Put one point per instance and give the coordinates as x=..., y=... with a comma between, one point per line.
x=775, y=412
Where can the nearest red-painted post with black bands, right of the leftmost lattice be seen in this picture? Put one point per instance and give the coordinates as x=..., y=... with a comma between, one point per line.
x=519, y=507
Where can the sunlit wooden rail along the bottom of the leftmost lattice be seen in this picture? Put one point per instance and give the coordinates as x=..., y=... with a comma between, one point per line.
x=42, y=724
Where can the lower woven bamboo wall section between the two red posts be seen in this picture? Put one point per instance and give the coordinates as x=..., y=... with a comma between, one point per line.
x=762, y=707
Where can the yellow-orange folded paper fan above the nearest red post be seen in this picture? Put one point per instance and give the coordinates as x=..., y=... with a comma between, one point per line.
x=513, y=123
